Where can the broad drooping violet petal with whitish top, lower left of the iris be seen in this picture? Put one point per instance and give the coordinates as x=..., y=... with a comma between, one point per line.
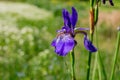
x=64, y=44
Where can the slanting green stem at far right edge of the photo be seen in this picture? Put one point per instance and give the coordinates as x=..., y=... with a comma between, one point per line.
x=115, y=56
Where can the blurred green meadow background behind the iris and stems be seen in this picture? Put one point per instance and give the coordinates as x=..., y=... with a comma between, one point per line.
x=27, y=28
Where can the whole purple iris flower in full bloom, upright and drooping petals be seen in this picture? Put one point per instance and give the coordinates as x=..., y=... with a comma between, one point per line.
x=65, y=42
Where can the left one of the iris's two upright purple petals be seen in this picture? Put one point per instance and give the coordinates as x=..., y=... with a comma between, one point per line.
x=66, y=17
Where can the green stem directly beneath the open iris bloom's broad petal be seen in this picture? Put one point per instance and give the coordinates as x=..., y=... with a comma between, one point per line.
x=72, y=64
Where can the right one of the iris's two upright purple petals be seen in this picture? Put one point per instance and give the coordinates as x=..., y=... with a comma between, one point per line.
x=74, y=17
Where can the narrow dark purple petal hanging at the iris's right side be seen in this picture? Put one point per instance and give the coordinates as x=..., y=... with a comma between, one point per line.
x=88, y=45
